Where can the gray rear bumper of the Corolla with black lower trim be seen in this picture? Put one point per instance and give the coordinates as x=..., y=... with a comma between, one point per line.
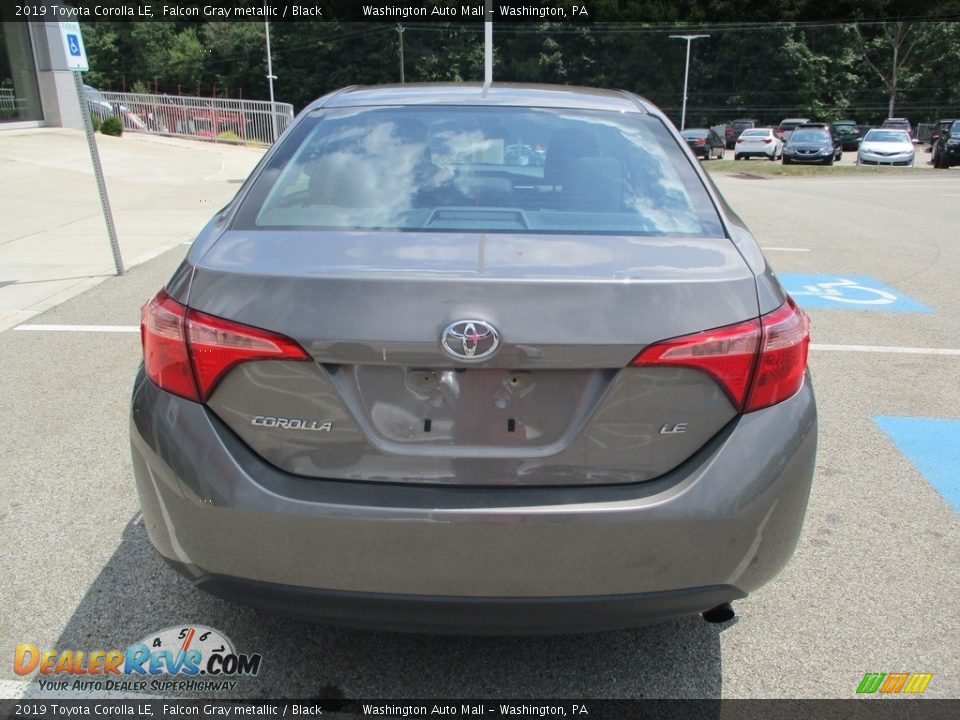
x=414, y=556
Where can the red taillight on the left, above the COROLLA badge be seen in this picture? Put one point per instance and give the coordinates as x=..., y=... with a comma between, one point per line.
x=187, y=352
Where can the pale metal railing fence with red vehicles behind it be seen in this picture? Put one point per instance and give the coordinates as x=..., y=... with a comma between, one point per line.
x=220, y=120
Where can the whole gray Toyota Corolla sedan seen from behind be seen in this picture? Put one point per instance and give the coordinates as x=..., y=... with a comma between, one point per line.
x=411, y=379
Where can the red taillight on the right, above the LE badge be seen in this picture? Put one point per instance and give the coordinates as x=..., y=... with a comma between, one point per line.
x=758, y=363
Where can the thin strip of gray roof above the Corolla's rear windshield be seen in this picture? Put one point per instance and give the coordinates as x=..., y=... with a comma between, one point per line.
x=497, y=94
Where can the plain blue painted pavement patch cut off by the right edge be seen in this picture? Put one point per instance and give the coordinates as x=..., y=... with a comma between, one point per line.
x=933, y=446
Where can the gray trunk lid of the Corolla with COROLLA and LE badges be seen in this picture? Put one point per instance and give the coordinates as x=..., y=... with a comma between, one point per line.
x=556, y=404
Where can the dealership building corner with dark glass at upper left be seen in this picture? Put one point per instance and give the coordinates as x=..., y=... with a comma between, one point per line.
x=36, y=89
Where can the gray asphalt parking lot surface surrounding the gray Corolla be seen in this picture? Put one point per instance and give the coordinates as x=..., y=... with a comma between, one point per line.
x=874, y=586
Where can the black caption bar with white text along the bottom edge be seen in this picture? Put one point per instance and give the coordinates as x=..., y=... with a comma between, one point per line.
x=854, y=709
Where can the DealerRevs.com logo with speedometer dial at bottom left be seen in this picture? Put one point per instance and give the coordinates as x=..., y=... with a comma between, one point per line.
x=188, y=658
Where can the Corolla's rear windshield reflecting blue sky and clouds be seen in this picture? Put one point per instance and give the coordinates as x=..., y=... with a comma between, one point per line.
x=497, y=169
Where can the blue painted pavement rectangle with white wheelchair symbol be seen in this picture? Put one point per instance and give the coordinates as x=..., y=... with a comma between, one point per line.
x=853, y=292
